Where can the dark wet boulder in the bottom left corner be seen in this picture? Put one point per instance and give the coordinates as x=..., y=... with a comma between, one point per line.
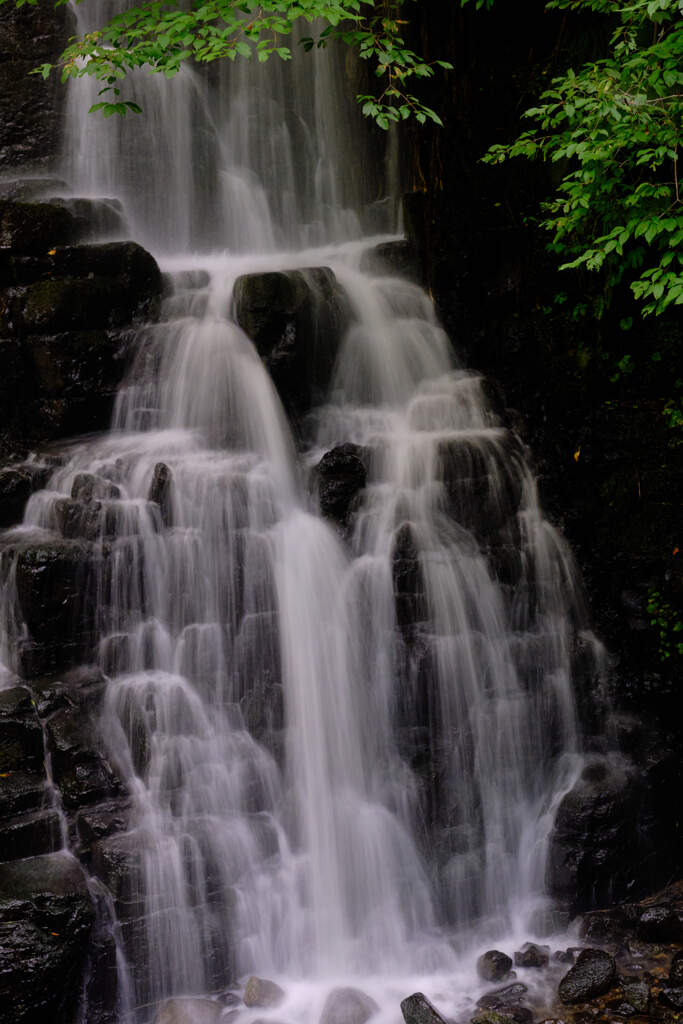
x=47, y=917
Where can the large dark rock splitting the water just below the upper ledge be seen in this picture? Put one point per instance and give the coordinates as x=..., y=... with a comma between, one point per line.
x=296, y=321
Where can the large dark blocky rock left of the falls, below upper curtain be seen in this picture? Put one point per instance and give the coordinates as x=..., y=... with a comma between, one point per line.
x=66, y=330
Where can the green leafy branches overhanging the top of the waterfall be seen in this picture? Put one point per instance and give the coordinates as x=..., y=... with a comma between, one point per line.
x=161, y=35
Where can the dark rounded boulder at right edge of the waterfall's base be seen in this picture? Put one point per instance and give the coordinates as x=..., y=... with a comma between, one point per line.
x=594, y=824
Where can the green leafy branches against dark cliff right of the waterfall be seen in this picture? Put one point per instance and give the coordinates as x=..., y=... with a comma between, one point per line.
x=616, y=127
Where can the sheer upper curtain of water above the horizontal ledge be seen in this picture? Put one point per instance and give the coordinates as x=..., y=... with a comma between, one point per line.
x=245, y=156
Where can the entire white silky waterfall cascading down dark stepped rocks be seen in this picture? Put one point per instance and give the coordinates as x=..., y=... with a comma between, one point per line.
x=411, y=682
